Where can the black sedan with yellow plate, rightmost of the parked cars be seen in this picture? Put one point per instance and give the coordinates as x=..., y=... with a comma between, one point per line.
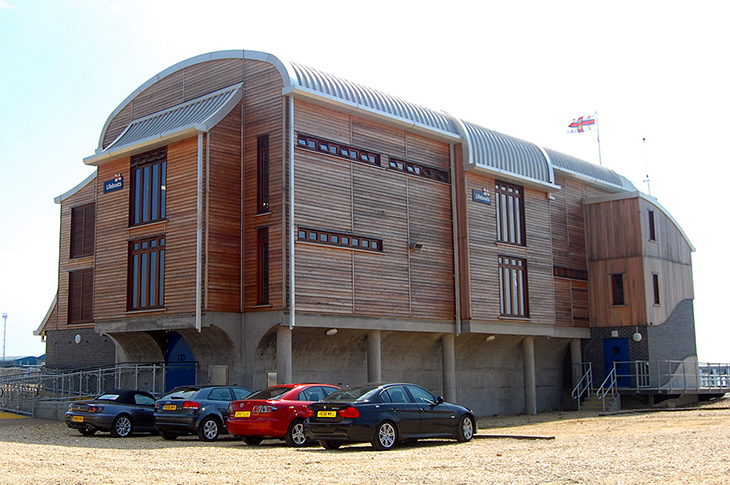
x=384, y=414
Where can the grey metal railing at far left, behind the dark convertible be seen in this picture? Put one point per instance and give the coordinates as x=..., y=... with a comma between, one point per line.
x=20, y=392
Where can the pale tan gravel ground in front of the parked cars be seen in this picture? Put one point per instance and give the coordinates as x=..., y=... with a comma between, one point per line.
x=672, y=446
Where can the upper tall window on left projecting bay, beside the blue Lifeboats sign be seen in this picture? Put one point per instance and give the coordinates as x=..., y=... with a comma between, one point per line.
x=149, y=175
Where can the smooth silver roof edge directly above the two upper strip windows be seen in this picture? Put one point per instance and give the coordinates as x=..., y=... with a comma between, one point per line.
x=360, y=109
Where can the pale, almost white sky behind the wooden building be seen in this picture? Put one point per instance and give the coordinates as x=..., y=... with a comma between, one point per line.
x=651, y=69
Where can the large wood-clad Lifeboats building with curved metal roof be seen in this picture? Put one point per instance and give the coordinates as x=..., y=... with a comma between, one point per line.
x=269, y=222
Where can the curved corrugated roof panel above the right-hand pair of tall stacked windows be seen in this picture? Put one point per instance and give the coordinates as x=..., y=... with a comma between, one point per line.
x=492, y=150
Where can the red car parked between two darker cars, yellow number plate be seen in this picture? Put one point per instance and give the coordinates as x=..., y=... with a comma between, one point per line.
x=275, y=412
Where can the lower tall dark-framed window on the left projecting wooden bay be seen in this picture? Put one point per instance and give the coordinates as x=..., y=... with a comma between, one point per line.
x=146, y=273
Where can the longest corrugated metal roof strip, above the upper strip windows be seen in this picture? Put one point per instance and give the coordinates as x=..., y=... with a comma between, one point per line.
x=335, y=87
